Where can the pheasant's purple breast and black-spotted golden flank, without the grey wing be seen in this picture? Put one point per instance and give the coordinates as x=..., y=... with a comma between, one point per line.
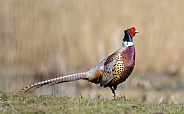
x=124, y=65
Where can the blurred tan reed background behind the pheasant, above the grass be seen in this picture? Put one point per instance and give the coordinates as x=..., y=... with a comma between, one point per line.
x=40, y=40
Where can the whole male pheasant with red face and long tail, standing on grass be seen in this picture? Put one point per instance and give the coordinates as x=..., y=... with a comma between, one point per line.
x=110, y=72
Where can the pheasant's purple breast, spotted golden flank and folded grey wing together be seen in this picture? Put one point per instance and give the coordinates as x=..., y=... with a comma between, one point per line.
x=116, y=66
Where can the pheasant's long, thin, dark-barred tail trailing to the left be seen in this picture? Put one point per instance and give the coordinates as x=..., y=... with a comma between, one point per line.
x=53, y=81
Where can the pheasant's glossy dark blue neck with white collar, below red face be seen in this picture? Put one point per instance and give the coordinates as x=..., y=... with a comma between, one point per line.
x=127, y=40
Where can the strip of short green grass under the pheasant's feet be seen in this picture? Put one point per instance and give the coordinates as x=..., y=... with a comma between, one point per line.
x=30, y=103
